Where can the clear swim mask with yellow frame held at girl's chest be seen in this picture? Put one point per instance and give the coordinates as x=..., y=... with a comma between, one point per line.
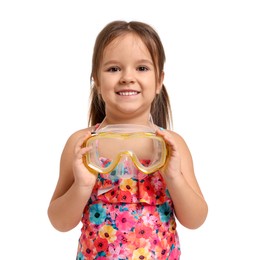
x=121, y=147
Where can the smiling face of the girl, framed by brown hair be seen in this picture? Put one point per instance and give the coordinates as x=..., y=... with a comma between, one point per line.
x=127, y=79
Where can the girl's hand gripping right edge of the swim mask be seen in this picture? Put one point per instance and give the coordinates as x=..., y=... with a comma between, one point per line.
x=172, y=167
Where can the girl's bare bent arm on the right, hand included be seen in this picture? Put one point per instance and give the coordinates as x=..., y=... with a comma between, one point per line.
x=190, y=206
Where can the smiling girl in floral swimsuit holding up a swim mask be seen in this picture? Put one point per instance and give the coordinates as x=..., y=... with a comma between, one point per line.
x=127, y=217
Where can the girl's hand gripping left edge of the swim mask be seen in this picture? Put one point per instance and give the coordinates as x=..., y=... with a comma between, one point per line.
x=83, y=177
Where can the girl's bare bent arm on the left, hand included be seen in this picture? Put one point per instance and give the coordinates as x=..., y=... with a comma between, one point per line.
x=74, y=185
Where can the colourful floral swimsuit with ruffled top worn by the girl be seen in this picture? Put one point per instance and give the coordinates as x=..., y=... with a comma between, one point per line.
x=129, y=219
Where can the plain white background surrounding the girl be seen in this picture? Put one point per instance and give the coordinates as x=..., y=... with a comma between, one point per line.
x=214, y=75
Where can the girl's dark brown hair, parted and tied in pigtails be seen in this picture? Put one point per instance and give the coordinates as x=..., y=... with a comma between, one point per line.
x=160, y=108
